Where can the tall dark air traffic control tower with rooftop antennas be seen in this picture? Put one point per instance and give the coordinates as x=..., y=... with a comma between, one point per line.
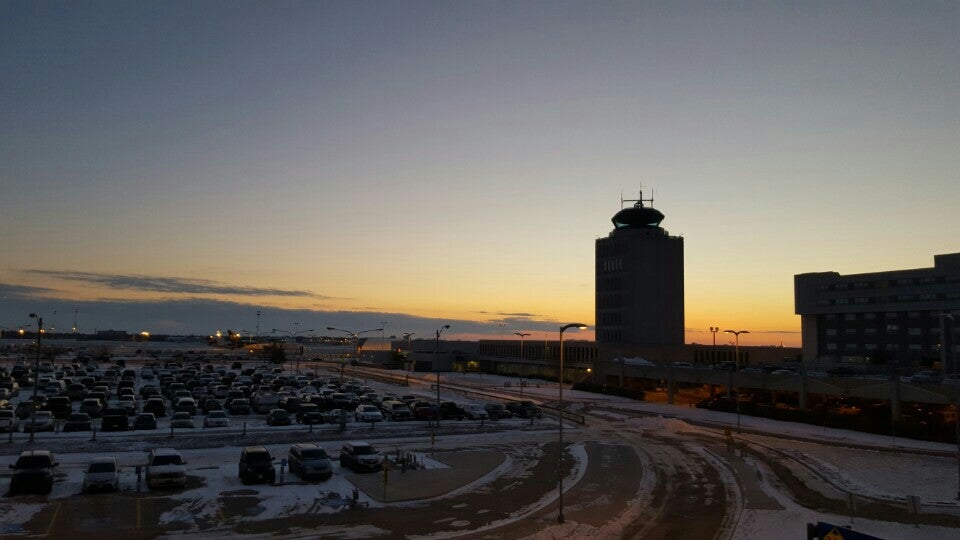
x=639, y=281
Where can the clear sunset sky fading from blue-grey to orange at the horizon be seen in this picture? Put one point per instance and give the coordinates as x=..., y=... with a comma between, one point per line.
x=175, y=166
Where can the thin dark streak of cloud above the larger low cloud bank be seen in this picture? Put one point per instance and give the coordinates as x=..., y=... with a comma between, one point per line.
x=170, y=284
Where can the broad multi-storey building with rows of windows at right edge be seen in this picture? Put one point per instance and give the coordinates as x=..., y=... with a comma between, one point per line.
x=881, y=317
